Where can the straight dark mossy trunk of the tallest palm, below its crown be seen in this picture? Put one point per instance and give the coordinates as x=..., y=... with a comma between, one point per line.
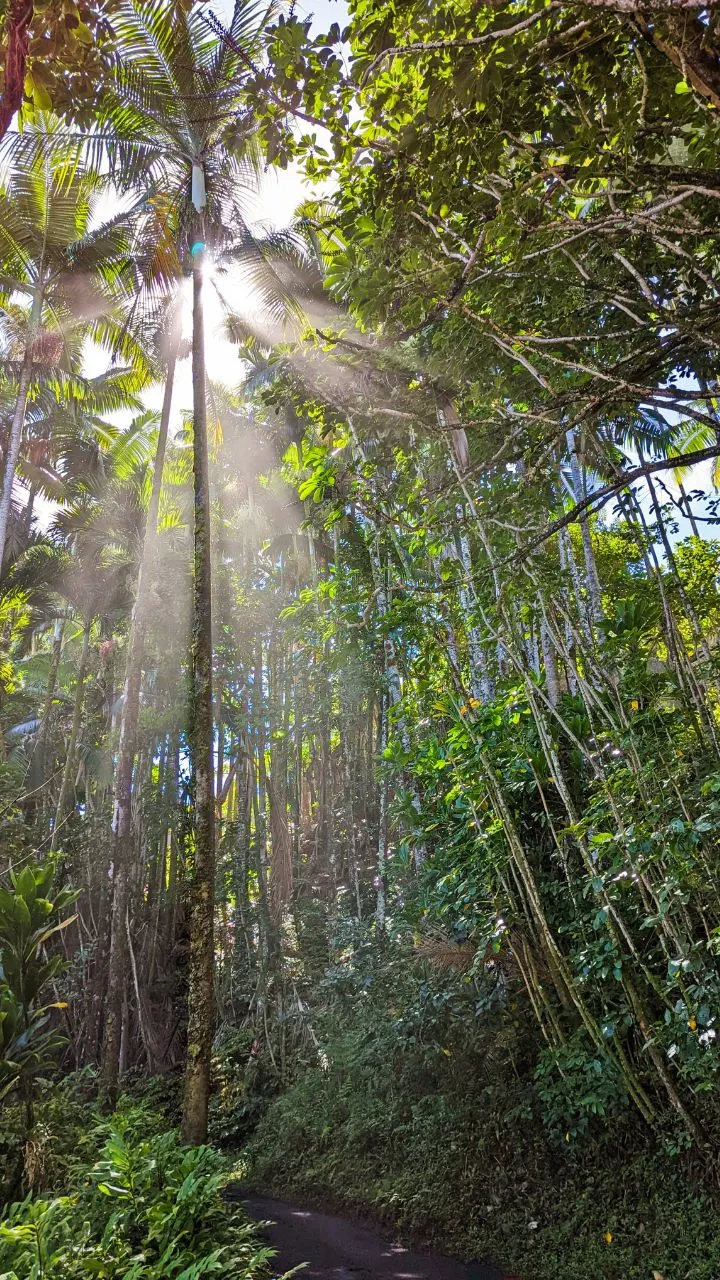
x=200, y=995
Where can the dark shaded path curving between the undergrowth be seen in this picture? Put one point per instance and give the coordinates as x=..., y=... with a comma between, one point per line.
x=339, y=1250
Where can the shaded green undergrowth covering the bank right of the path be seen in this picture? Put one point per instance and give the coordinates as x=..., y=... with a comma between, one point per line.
x=426, y=1113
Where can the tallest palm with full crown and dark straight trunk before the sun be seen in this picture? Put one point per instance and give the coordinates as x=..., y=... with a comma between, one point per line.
x=175, y=121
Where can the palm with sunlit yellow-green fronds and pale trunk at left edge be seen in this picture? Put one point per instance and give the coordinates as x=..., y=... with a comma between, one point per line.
x=71, y=275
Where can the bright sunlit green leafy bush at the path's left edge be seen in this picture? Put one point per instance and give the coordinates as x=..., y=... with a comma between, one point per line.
x=149, y=1210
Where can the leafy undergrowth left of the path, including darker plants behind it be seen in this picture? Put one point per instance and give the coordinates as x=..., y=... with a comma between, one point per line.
x=120, y=1199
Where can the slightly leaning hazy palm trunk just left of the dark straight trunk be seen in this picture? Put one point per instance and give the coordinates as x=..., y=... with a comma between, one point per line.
x=122, y=819
